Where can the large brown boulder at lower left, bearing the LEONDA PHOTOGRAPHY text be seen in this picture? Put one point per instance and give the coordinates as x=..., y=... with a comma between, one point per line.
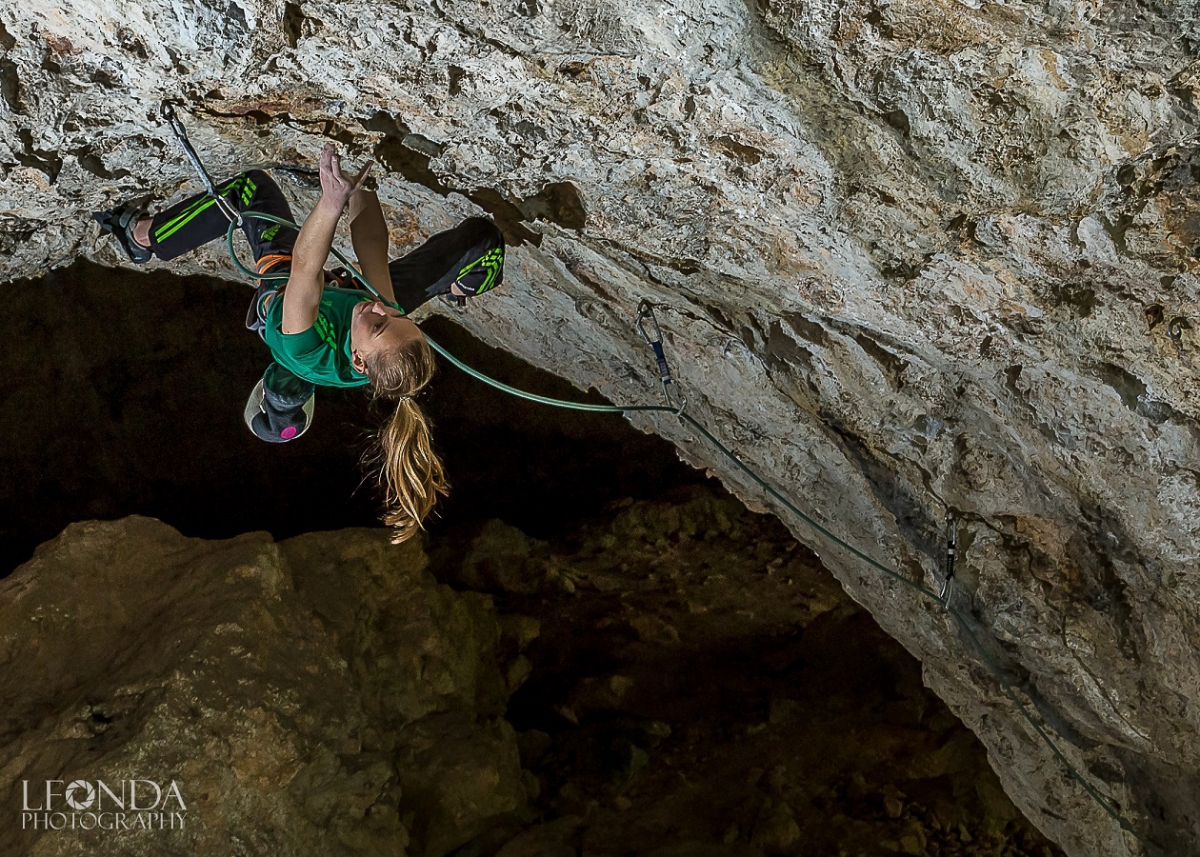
x=322, y=696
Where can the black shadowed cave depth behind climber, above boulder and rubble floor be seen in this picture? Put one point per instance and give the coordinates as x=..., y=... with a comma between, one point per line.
x=140, y=411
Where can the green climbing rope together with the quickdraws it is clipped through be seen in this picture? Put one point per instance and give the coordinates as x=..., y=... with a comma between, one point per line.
x=676, y=405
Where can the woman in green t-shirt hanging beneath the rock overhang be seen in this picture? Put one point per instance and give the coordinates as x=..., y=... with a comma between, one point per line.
x=321, y=332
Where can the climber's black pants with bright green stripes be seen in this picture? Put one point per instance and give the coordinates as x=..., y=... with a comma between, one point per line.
x=471, y=255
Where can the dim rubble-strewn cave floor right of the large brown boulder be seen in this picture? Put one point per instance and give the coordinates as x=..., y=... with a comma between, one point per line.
x=699, y=679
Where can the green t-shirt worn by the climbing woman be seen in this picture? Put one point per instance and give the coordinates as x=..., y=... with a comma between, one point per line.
x=322, y=353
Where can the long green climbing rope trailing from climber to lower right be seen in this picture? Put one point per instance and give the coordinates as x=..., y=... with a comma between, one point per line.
x=993, y=668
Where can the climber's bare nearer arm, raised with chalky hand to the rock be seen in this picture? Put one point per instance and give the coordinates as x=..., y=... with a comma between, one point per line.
x=302, y=298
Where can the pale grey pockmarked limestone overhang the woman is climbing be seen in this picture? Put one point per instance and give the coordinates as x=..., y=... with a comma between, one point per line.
x=913, y=257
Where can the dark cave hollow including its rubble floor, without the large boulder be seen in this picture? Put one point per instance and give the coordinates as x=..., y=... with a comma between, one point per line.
x=683, y=686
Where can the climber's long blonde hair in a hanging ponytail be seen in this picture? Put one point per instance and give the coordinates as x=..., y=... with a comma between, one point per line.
x=410, y=471
